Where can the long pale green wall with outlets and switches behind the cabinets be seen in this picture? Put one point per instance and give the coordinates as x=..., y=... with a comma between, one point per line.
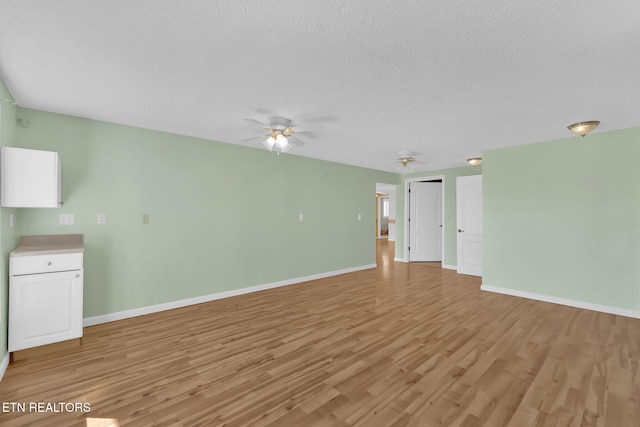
x=222, y=217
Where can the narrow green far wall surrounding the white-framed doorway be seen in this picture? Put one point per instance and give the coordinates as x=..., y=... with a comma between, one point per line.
x=450, y=235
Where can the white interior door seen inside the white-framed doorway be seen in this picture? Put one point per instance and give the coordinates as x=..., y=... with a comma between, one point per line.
x=425, y=221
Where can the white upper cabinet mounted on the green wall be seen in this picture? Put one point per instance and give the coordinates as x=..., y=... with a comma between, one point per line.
x=30, y=178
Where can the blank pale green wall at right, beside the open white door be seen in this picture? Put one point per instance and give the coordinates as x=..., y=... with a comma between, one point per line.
x=562, y=218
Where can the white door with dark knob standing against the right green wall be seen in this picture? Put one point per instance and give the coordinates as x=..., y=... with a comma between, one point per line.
x=469, y=224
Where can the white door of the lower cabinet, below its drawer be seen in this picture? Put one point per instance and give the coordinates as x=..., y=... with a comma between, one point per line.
x=44, y=308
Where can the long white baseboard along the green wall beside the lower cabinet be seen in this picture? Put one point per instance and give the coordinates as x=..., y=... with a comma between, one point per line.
x=120, y=315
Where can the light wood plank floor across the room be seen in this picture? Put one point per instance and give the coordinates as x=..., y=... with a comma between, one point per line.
x=393, y=346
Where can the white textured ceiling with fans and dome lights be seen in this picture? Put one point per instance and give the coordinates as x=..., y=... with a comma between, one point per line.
x=445, y=79
